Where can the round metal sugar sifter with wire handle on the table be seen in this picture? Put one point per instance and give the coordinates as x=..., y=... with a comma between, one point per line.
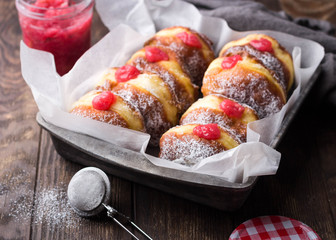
x=89, y=194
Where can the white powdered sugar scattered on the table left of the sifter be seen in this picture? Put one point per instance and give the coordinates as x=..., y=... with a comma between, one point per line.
x=48, y=206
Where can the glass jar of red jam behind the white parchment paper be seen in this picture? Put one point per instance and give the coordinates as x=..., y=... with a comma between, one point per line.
x=61, y=27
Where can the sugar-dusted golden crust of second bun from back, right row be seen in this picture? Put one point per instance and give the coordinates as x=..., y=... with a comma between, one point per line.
x=247, y=83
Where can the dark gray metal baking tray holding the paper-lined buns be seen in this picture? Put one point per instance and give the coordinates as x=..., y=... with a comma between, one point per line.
x=133, y=166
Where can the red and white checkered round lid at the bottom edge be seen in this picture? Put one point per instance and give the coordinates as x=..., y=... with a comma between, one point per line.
x=274, y=228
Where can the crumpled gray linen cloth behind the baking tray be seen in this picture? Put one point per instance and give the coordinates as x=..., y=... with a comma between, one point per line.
x=244, y=15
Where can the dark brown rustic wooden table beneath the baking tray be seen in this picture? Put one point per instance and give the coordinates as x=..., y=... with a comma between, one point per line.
x=304, y=187
